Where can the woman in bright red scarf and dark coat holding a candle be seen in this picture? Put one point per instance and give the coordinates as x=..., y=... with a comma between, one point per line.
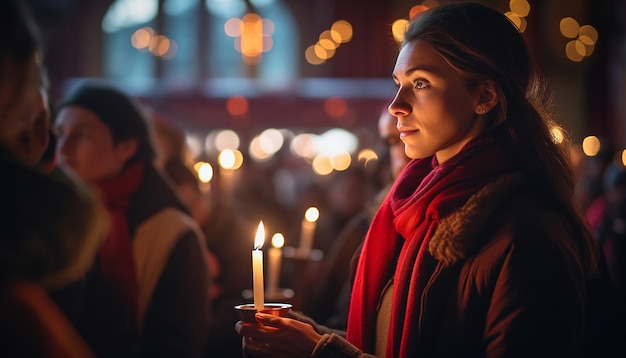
x=478, y=250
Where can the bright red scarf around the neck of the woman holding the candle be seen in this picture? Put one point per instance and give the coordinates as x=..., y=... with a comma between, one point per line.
x=424, y=194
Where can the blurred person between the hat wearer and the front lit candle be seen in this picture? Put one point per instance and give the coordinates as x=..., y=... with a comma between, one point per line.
x=228, y=238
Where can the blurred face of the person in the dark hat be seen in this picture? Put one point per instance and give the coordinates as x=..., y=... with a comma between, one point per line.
x=85, y=145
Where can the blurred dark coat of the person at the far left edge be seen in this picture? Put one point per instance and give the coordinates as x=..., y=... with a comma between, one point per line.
x=50, y=230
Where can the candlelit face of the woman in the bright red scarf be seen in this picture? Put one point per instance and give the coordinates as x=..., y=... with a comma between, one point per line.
x=437, y=113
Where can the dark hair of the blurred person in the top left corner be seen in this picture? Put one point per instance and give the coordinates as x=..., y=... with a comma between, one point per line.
x=20, y=48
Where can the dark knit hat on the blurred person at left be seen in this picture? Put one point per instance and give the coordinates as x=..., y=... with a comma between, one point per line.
x=115, y=109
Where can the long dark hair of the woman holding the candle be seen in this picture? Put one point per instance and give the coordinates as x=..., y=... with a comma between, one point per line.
x=482, y=44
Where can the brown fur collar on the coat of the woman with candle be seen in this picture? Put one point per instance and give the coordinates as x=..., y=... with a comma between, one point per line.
x=459, y=234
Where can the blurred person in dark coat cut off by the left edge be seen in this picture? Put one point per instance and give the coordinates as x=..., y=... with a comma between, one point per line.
x=50, y=226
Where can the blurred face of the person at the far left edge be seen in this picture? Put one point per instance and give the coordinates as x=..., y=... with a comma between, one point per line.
x=24, y=116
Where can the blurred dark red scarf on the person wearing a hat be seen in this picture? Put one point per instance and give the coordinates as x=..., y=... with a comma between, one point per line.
x=117, y=273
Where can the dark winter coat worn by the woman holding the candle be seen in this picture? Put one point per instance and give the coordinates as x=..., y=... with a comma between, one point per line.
x=507, y=282
